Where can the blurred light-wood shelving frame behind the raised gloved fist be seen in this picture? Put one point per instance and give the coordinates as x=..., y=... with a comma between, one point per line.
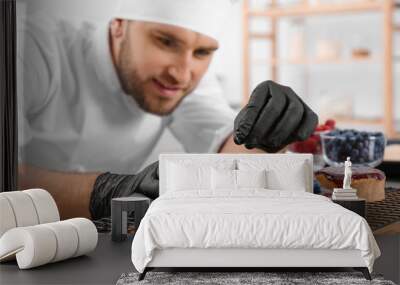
x=274, y=13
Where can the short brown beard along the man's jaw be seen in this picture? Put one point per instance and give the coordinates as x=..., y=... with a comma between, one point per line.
x=133, y=86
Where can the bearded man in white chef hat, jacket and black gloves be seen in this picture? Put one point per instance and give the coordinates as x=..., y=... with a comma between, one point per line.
x=96, y=98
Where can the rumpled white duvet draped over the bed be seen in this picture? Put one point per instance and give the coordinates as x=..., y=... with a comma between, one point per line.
x=250, y=218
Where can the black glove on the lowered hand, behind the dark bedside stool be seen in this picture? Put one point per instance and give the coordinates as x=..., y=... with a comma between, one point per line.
x=109, y=185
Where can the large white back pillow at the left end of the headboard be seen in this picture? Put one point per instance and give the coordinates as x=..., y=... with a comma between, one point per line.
x=188, y=177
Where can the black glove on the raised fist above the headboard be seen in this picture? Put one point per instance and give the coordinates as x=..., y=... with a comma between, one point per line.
x=274, y=117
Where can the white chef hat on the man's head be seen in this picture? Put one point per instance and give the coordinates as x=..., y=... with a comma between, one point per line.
x=203, y=16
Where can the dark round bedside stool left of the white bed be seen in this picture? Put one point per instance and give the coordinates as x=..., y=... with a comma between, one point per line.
x=121, y=208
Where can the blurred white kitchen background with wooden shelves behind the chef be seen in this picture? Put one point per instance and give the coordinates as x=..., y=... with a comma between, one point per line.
x=341, y=56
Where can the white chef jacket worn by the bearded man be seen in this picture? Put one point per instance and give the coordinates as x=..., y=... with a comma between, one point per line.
x=73, y=115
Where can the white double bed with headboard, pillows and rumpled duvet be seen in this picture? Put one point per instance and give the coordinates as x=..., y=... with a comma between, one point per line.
x=195, y=223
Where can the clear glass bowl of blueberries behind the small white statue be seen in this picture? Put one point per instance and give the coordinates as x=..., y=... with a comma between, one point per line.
x=363, y=148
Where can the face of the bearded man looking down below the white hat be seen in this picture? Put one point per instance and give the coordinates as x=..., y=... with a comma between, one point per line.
x=157, y=64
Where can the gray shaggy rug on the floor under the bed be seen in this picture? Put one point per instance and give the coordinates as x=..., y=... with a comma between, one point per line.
x=231, y=278
